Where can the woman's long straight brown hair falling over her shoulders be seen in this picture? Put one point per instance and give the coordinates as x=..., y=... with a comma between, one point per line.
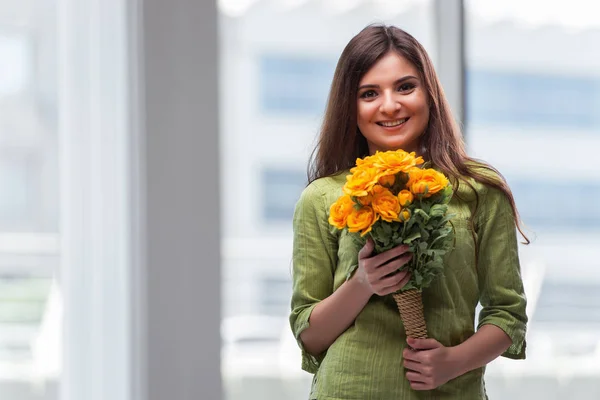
x=340, y=141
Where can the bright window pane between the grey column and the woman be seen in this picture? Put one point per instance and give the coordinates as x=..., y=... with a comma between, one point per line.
x=277, y=63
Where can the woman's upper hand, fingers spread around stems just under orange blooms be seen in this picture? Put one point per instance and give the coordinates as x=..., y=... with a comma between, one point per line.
x=379, y=274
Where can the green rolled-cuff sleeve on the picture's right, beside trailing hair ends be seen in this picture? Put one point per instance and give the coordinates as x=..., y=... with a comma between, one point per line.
x=501, y=288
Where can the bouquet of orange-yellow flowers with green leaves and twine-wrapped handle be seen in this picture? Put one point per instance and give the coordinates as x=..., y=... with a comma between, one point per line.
x=390, y=197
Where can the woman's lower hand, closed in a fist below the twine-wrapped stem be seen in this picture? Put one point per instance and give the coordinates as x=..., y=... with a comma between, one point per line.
x=429, y=364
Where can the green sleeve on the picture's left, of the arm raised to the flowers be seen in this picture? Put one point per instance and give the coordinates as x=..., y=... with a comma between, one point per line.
x=314, y=261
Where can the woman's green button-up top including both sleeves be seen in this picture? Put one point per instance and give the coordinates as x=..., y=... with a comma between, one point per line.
x=365, y=362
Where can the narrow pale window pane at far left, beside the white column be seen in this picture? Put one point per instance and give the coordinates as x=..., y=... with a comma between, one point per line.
x=28, y=202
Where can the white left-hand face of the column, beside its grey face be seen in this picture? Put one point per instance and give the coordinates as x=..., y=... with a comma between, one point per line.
x=94, y=199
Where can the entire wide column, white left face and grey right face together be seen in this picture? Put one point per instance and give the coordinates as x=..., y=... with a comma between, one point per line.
x=140, y=235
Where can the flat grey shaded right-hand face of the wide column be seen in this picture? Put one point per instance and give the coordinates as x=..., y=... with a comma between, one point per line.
x=178, y=264
